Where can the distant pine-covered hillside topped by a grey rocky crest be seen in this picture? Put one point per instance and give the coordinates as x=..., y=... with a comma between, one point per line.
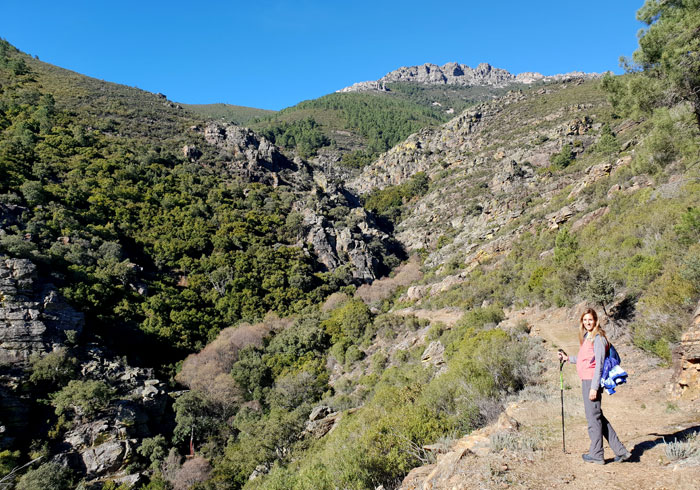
x=346, y=130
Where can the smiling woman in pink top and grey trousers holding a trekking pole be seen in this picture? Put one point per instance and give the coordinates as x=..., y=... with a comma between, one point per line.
x=589, y=364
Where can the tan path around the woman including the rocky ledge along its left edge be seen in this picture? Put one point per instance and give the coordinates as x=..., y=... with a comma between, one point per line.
x=642, y=413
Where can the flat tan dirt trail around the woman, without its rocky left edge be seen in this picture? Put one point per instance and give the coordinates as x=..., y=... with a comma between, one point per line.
x=640, y=411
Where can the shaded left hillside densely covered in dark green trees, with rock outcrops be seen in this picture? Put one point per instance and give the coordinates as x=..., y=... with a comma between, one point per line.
x=131, y=233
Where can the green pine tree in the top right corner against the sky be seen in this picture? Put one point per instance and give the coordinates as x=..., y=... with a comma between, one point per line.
x=669, y=48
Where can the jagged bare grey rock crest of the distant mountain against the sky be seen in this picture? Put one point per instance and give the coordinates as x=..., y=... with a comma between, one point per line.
x=458, y=74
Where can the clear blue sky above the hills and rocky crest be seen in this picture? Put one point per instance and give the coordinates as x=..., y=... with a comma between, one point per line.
x=272, y=54
